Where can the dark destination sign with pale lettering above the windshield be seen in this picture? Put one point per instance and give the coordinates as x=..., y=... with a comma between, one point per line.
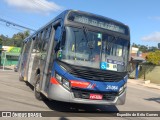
x=97, y=22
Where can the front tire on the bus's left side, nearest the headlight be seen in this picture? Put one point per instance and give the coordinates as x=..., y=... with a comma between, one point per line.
x=37, y=92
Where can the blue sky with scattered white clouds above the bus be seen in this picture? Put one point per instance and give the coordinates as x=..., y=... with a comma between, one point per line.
x=142, y=16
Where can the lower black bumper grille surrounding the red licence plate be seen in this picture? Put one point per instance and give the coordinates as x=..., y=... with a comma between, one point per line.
x=109, y=96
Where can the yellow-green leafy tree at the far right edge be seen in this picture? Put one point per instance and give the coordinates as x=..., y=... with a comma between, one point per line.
x=154, y=57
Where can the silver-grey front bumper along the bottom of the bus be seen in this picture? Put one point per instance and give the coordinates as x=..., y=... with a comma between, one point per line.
x=59, y=93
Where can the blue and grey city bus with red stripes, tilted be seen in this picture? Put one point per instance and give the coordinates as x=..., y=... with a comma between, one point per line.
x=78, y=57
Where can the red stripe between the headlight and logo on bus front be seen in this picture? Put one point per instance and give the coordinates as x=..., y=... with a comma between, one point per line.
x=79, y=84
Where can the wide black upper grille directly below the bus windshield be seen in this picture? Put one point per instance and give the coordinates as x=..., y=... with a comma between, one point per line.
x=92, y=73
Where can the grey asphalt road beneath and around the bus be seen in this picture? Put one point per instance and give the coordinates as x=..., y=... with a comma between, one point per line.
x=19, y=96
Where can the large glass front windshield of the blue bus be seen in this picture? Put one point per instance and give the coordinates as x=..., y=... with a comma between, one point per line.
x=87, y=48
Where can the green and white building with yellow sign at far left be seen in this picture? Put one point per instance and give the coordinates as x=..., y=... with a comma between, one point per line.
x=10, y=55
